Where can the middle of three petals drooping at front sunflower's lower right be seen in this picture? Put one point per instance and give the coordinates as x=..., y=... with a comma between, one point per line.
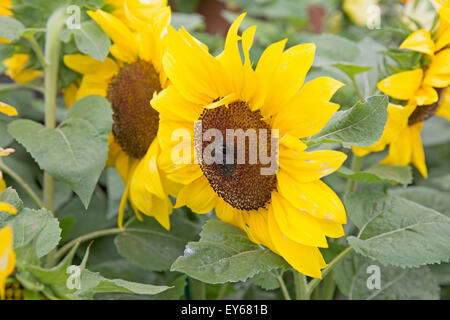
x=296, y=224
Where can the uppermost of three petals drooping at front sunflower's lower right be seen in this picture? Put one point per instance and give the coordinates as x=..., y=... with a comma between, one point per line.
x=315, y=197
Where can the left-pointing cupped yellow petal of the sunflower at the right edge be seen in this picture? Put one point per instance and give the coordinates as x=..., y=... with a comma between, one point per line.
x=402, y=85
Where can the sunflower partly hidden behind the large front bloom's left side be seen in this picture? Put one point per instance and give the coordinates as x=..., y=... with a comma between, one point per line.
x=128, y=80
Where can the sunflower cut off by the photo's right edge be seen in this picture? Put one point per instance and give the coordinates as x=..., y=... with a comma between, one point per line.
x=425, y=90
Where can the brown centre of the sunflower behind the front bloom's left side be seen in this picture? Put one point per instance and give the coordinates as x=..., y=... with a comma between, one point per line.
x=135, y=121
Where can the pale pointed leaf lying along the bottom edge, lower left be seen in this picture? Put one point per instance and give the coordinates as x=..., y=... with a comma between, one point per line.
x=92, y=283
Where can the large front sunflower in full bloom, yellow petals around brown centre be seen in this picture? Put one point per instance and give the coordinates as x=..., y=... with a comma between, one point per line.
x=290, y=212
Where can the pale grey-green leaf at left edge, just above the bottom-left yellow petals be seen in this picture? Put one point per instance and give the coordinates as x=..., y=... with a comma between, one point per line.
x=36, y=227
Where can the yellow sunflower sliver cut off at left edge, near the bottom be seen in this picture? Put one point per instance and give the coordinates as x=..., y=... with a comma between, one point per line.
x=7, y=257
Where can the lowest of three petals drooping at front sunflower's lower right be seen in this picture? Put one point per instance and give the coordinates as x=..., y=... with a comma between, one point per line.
x=305, y=259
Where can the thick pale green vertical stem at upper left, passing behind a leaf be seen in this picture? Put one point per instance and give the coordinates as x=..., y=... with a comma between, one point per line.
x=52, y=49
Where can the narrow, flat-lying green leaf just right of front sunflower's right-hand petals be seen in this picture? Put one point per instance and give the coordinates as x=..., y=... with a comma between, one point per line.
x=379, y=173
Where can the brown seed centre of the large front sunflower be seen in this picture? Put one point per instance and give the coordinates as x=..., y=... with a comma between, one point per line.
x=240, y=185
